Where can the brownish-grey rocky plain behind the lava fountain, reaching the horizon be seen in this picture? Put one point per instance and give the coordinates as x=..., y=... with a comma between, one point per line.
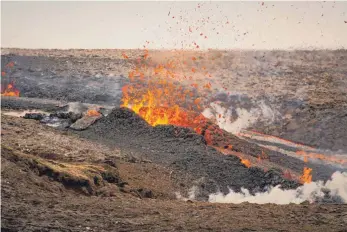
x=306, y=90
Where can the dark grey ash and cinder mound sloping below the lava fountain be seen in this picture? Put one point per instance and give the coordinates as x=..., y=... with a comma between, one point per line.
x=184, y=151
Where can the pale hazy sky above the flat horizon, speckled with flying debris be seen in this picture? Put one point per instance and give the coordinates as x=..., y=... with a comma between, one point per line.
x=274, y=25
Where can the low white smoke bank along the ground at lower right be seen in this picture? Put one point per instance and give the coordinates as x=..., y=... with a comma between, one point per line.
x=334, y=190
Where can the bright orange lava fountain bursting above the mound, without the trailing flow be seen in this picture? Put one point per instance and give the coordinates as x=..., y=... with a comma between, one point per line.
x=154, y=94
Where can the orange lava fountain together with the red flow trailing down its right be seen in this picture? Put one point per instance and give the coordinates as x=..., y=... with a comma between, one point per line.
x=153, y=94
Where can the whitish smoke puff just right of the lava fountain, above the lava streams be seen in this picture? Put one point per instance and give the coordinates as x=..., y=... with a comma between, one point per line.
x=234, y=119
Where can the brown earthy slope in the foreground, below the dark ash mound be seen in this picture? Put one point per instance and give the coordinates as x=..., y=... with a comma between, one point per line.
x=49, y=184
